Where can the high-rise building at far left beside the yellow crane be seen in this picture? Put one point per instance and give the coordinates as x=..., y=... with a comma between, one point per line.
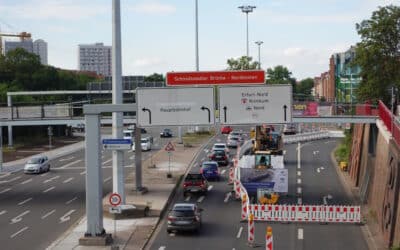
x=38, y=47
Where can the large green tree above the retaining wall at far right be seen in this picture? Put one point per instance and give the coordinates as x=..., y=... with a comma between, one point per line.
x=378, y=53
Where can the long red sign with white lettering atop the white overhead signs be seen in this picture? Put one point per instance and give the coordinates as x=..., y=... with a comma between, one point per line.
x=216, y=77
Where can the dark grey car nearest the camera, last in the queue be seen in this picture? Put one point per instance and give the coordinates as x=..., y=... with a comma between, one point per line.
x=184, y=217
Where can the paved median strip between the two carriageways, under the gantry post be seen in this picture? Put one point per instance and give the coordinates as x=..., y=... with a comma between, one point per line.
x=133, y=234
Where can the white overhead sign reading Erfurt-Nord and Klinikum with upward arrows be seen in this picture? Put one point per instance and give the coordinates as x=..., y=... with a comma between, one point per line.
x=255, y=104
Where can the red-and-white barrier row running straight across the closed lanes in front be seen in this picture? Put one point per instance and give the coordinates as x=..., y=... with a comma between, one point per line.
x=306, y=213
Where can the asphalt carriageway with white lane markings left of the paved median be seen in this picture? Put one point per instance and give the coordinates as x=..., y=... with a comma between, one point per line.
x=37, y=209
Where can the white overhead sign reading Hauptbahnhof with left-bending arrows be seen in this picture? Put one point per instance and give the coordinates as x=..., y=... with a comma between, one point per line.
x=175, y=106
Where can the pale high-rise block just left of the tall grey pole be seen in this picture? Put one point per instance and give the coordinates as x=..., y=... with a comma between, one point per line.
x=95, y=57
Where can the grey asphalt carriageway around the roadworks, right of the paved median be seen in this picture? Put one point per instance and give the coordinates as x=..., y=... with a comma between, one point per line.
x=312, y=180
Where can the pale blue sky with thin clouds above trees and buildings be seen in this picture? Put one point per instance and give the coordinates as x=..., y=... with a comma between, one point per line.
x=158, y=36
